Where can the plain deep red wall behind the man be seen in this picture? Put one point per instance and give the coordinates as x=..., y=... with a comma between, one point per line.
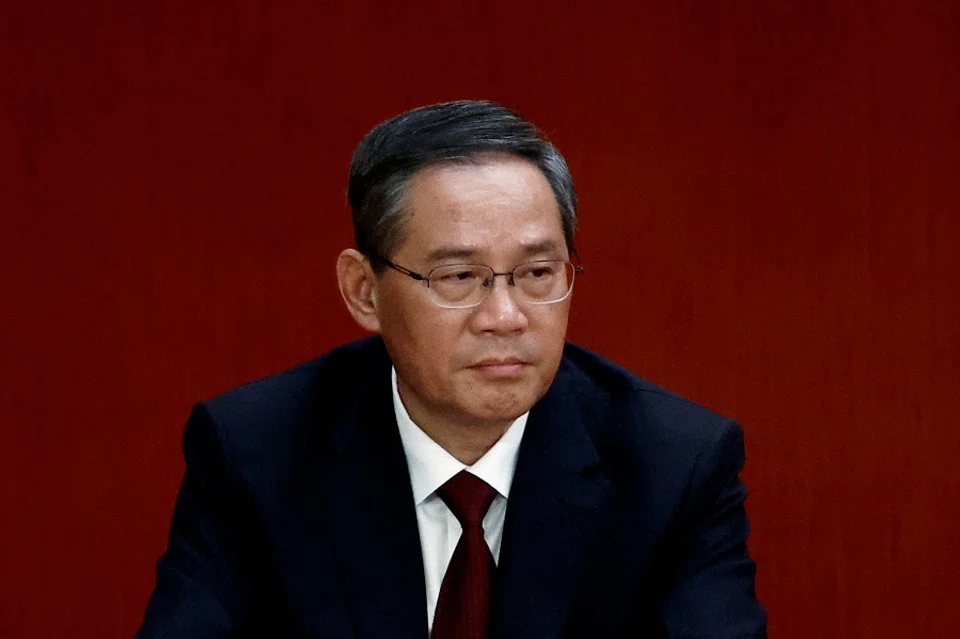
x=769, y=223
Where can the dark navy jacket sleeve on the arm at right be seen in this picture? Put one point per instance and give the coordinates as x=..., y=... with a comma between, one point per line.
x=712, y=594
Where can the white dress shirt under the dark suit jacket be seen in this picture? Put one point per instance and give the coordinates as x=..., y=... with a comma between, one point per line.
x=430, y=467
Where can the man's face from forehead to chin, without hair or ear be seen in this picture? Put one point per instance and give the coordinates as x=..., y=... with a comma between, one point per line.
x=486, y=365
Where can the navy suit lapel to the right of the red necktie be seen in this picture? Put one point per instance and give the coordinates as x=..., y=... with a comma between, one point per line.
x=559, y=497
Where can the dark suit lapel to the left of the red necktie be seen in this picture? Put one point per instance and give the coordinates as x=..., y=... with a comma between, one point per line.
x=375, y=526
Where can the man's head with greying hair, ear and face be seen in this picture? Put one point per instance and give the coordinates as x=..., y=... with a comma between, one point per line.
x=450, y=184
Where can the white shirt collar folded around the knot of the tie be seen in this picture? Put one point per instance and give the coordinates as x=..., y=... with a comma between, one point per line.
x=431, y=466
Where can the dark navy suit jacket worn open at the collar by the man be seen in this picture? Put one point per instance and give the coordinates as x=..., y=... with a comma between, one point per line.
x=296, y=517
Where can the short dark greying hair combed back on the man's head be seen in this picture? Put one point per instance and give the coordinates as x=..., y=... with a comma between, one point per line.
x=462, y=132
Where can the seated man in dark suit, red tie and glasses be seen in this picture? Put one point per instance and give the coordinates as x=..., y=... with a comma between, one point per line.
x=465, y=473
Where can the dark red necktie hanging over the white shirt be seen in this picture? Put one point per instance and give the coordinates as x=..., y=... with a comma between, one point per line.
x=464, y=603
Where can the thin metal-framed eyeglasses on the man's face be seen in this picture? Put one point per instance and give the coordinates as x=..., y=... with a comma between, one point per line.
x=467, y=285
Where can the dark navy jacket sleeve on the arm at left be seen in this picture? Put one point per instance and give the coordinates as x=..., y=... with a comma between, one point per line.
x=203, y=577
